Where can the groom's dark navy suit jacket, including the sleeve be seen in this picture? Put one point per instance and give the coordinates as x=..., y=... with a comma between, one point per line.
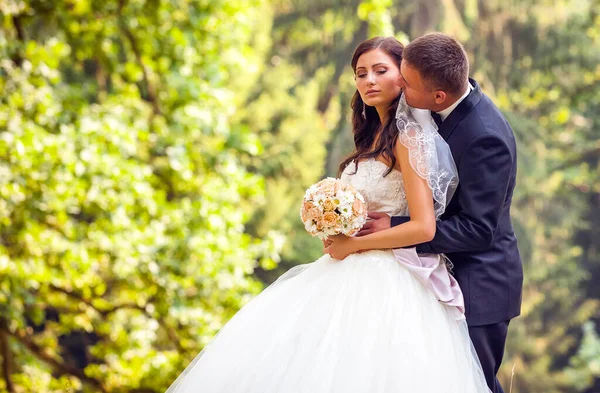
x=475, y=231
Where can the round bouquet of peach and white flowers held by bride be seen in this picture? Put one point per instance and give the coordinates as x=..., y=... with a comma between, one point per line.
x=332, y=208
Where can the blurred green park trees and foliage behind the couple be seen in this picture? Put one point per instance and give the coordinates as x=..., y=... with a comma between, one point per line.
x=153, y=155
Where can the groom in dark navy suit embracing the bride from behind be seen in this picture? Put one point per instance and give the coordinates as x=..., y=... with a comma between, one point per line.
x=475, y=232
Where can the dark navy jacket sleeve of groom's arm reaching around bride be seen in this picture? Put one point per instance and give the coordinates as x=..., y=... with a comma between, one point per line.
x=484, y=175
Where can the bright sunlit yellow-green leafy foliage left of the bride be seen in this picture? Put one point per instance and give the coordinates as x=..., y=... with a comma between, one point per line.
x=123, y=192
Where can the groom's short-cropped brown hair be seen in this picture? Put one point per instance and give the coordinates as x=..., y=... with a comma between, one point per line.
x=441, y=61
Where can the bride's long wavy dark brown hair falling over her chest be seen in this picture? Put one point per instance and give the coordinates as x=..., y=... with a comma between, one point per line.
x=366, y=143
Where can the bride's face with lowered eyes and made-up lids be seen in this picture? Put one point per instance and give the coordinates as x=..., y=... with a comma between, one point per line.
x=376, y=77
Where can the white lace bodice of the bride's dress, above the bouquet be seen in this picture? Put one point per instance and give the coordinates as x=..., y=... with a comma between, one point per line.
x=382, y=194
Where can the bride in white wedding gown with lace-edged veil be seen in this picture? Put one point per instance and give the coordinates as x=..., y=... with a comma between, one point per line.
x=381, y=318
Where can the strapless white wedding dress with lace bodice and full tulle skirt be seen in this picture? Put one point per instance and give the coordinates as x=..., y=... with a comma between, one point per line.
x=365, y=324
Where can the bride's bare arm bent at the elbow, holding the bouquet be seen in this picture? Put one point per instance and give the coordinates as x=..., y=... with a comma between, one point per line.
x=420, y=228
